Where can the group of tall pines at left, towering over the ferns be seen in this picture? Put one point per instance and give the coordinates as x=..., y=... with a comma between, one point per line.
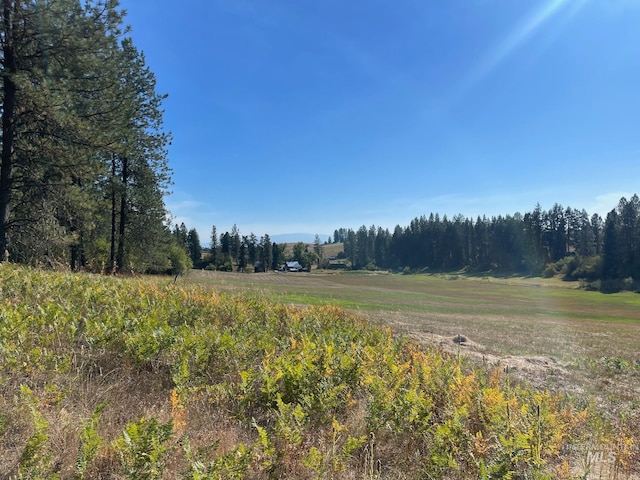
x=84, y=166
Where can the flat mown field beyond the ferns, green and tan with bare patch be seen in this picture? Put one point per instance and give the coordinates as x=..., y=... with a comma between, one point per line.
x=551, y=332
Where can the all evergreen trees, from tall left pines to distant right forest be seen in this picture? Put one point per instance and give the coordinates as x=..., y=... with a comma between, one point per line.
x=84, y=172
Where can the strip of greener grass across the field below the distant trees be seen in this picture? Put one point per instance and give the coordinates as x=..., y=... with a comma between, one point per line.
x=413, y=293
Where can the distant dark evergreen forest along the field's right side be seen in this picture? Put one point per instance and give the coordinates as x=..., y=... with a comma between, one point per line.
x=565, y=240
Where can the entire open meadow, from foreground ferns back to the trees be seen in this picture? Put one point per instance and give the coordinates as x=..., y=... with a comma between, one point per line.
x=312, y=376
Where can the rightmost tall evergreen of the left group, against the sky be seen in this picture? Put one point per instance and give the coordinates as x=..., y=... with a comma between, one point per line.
x=140, y=175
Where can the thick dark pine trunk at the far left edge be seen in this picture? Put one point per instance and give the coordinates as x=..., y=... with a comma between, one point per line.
x=9, y=92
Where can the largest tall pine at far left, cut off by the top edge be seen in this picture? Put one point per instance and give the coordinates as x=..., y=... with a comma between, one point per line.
x=53, y=54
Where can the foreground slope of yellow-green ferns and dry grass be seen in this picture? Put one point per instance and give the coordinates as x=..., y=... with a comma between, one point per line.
x=111, y=378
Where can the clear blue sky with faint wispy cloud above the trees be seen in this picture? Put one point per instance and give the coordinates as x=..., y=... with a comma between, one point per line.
x=306, y=116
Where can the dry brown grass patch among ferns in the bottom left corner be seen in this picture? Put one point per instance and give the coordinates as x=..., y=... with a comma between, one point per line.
x=128, y=391
